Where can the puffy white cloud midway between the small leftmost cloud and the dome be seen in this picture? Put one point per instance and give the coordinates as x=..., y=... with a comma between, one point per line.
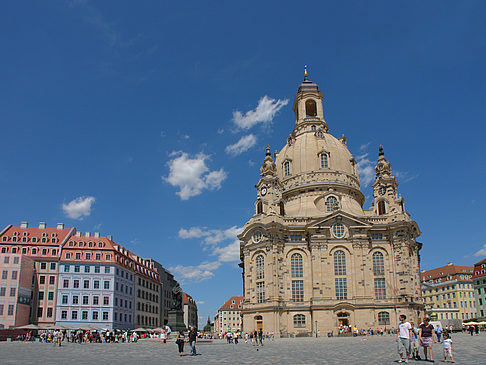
x=191, y=175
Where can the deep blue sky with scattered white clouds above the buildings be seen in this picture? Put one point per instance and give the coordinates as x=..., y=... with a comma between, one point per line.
x=148, y=120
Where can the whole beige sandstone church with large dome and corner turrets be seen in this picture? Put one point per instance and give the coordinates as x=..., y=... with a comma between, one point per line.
x=312, y=257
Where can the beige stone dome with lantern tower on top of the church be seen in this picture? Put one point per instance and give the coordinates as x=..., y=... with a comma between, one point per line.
x=314, y=164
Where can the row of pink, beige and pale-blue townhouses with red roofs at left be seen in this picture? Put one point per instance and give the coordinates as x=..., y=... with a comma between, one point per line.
x=61, y=276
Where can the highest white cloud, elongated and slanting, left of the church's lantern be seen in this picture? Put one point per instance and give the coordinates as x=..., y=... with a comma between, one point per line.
x=265, y=111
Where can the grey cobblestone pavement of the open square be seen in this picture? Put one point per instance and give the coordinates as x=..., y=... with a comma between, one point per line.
x=348, y=350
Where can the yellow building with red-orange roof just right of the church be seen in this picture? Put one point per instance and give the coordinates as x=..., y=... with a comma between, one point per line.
x=449, y=294
